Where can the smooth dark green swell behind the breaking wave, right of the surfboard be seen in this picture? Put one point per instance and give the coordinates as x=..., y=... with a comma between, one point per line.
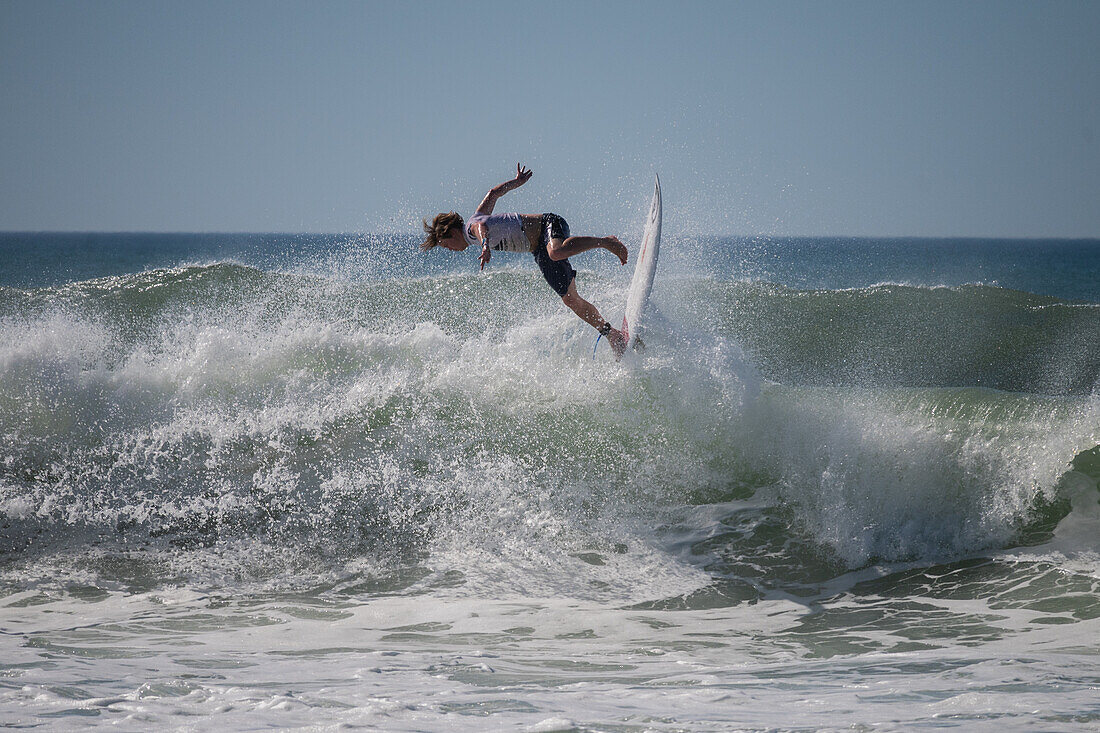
x=894, y=335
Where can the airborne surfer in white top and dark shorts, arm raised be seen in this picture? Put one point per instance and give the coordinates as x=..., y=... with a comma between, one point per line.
x=546, y=236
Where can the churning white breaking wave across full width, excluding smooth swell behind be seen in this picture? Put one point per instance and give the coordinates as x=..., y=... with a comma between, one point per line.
x=202, y=406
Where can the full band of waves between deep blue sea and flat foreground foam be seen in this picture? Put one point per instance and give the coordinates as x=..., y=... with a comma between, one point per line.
x=219, y=421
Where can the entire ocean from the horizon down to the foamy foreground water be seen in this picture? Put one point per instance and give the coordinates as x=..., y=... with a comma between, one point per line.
x=322, y=483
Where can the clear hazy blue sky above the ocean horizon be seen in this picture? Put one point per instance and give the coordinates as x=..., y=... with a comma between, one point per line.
x=763, y=118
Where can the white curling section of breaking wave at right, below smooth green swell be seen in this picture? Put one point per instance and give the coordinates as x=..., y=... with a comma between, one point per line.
x=927, y=474
